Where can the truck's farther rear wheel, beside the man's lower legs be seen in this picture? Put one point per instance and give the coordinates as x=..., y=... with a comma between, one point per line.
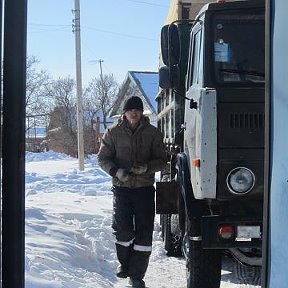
x=172, y=239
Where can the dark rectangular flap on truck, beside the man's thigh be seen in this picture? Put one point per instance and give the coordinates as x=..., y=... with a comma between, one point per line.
x=166, y=197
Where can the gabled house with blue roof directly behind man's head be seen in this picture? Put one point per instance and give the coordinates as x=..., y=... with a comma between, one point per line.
x=143, y=85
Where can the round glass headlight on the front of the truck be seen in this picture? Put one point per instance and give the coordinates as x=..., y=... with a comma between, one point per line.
x=240, y=180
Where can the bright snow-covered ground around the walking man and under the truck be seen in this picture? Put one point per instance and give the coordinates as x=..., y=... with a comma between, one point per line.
x=69, y=241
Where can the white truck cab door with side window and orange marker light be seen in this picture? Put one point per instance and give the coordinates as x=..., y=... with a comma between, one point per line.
x=200, y=136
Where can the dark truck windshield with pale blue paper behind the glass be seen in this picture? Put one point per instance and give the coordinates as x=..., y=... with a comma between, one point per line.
x=238, y=42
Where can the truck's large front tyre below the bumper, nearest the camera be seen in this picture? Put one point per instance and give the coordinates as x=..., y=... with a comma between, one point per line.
x=203, y=266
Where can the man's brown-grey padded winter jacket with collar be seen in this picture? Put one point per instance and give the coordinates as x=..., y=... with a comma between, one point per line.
x=122, y=148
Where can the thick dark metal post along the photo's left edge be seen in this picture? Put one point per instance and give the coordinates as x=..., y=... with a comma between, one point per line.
x=14, y=91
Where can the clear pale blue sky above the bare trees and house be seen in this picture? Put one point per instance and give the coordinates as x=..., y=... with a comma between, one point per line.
x=123, y=33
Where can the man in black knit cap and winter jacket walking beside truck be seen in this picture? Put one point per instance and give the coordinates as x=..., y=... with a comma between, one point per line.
x=131, y=152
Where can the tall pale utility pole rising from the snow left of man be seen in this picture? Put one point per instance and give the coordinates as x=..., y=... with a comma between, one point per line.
x=79, y=86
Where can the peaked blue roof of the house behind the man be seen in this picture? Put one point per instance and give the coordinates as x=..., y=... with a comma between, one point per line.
x=147, y=83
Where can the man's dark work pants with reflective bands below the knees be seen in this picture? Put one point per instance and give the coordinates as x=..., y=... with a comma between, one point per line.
x=133, y=223
